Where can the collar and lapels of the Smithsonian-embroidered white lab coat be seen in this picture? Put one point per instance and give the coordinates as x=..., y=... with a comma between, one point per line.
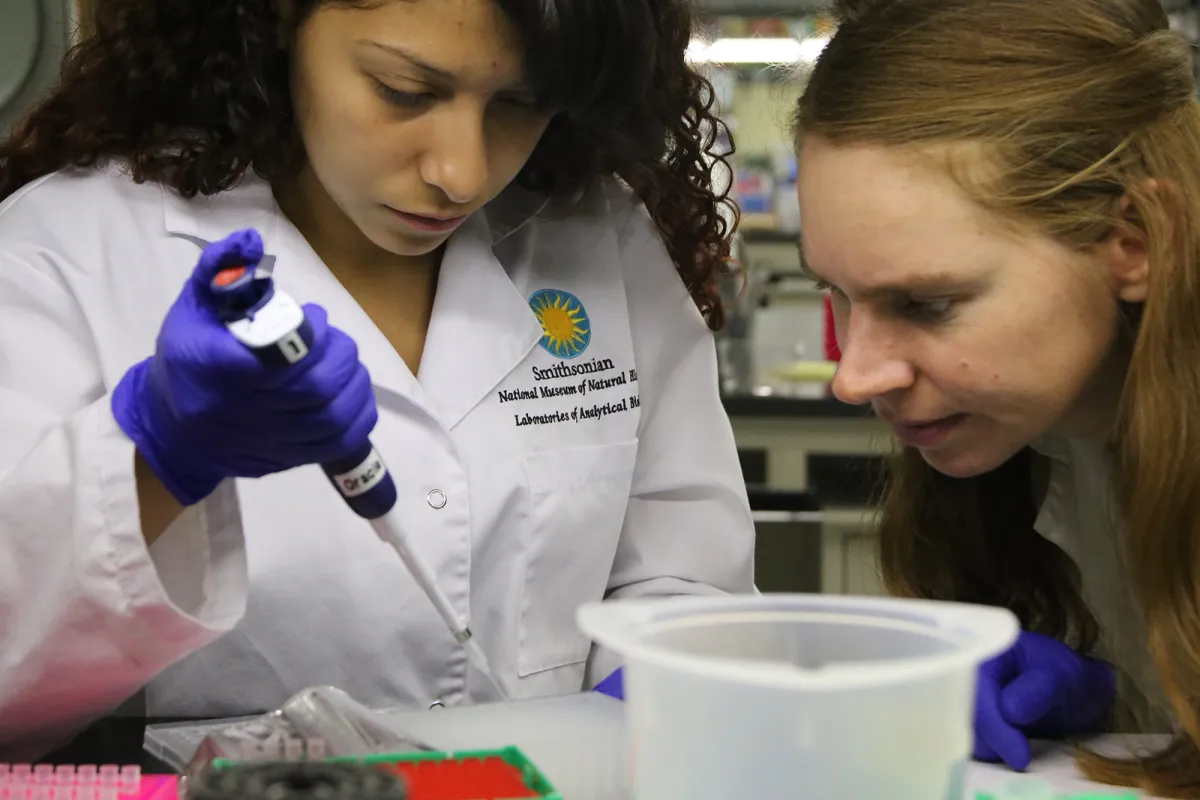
x=482, y=326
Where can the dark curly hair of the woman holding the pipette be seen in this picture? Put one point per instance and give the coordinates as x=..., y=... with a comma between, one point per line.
x=194, y=94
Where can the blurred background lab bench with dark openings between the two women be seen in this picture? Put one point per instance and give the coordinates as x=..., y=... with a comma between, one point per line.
x=831, y=454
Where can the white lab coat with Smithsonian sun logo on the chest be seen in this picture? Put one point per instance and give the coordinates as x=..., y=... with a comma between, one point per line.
x=272, y=586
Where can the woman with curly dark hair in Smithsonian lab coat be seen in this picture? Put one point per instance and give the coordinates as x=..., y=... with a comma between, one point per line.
x=501, y=216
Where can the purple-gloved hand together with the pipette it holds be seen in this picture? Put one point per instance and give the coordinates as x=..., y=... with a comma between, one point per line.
x=248, y=383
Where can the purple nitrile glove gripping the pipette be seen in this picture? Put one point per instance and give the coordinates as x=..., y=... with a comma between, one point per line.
x=203, y=408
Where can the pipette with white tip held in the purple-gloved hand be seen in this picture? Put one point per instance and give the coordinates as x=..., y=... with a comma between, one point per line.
x=273, y=327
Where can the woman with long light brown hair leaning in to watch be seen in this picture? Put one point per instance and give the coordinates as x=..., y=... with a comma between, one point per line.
x=1004, y=199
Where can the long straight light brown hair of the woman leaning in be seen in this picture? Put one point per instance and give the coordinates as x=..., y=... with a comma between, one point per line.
x=1085, y=115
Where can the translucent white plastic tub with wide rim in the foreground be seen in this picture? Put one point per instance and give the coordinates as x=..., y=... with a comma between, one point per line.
x=800, y=696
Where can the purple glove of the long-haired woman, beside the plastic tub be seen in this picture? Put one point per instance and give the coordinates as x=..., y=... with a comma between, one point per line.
x=1040, y=689
